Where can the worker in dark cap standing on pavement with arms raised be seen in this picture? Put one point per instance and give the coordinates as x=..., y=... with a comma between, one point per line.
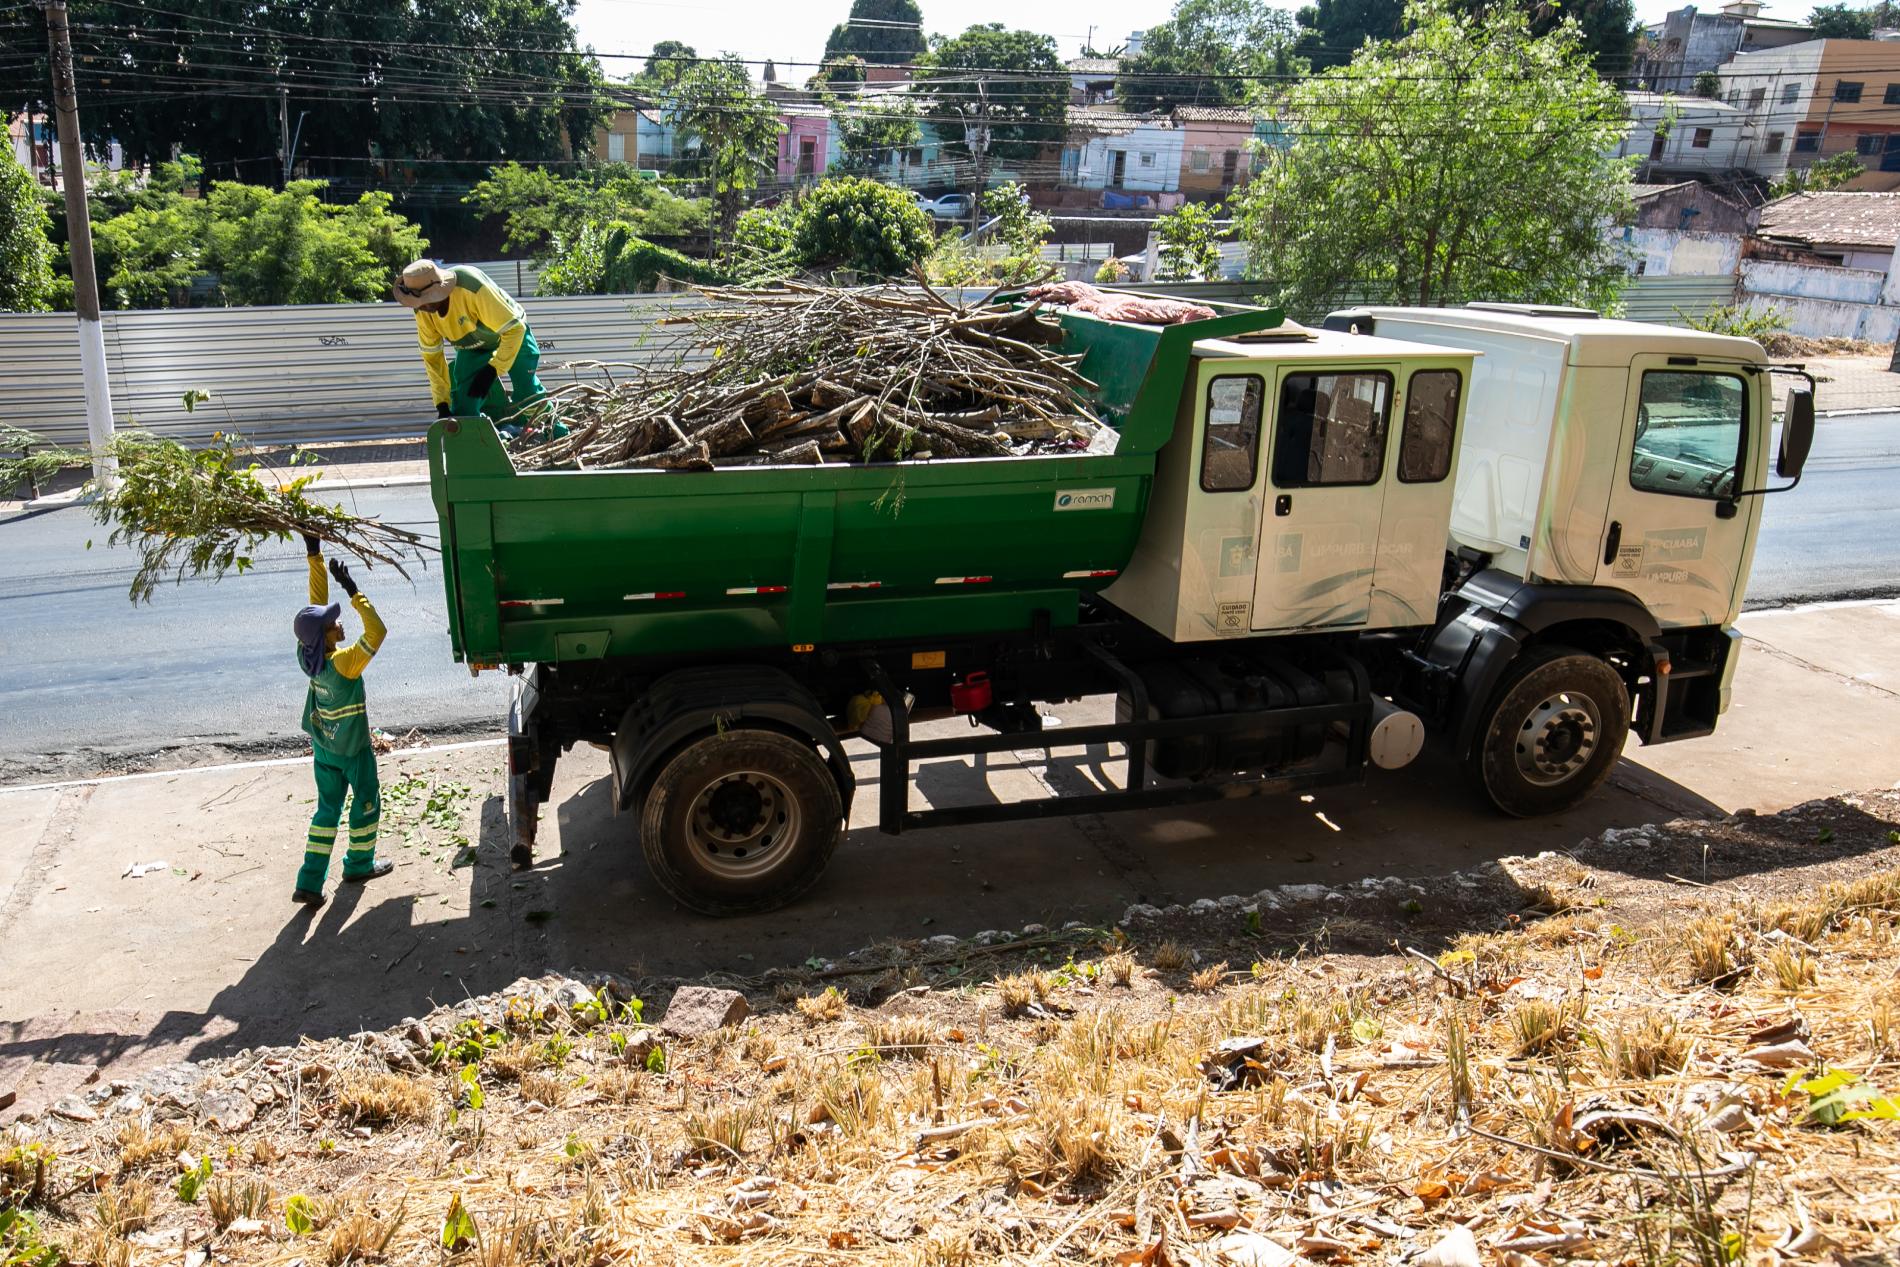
x=337, y=723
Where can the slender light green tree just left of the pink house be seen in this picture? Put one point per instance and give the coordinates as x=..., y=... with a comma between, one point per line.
x=727, y=130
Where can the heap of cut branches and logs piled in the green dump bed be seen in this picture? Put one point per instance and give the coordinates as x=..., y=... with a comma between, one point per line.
x=810, y=375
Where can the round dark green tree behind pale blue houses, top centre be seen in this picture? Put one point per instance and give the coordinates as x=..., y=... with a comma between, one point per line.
x=1006, y=81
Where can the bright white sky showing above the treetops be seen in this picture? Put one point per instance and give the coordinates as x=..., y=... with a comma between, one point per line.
x=793, y=31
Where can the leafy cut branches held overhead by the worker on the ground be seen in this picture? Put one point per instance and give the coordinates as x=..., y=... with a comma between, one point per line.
x=204, y=512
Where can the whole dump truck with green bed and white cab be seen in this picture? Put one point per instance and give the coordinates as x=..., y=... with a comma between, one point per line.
x=1511, y=533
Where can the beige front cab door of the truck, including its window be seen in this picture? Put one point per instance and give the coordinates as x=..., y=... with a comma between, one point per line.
x=1675, y=537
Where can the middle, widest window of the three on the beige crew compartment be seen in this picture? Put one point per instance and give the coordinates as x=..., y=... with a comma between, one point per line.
x=1331, y=428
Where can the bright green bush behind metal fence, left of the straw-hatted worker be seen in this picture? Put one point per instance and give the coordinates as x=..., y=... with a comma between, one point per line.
x=288, y=248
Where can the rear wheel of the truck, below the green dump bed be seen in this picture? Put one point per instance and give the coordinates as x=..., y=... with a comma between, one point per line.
x=742, y=822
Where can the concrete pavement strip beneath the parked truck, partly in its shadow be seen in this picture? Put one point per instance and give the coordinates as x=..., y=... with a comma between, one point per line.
x=204, y=955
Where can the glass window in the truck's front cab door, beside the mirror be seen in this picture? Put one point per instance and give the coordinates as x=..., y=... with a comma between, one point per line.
x=1690, y=432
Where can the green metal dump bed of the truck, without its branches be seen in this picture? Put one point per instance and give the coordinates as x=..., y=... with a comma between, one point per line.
x=546, y=567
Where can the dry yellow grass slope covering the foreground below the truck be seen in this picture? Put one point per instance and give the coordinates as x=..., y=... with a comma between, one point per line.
x=1565, y=1091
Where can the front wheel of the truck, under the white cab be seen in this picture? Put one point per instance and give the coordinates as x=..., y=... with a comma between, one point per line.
x=1555, y=732
